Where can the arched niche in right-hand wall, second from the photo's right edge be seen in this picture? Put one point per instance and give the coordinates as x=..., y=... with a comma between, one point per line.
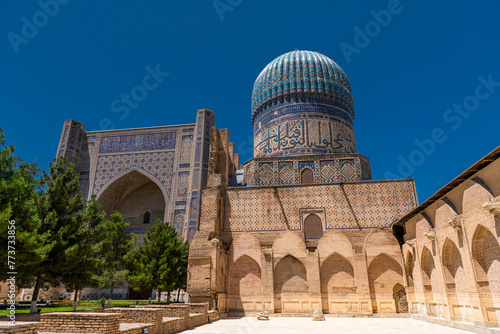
x=454, y=273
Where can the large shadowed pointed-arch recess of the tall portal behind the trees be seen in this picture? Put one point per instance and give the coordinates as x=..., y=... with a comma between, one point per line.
x=138, y=198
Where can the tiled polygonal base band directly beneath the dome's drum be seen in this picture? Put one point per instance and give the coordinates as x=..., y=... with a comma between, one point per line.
x=326, y=169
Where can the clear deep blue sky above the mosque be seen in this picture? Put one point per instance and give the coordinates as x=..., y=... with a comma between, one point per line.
x=412, y=68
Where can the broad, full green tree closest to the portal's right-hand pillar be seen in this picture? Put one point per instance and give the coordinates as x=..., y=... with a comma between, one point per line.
x=161, y=263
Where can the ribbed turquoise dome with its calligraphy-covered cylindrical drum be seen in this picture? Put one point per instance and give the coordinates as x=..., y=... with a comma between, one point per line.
x=302, y=105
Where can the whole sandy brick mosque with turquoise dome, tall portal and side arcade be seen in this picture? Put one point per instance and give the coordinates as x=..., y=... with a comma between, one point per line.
x=301, y=226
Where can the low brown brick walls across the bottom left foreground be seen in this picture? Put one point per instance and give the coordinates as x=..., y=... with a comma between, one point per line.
x=158, y=319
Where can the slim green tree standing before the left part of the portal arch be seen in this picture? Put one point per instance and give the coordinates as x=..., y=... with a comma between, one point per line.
x=115, y=251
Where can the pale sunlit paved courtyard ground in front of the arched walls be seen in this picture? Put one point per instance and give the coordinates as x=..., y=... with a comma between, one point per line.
x=250, y=325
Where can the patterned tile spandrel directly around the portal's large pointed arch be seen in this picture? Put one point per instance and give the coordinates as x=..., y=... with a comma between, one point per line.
x=160, y=165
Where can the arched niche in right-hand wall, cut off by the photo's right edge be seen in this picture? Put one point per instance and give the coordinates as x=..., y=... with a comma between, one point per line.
x=486, y=257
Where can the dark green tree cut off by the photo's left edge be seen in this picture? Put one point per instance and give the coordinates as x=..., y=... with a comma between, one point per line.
x=21, y=191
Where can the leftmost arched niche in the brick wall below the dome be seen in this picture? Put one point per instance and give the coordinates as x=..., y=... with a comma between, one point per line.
x=245, y=284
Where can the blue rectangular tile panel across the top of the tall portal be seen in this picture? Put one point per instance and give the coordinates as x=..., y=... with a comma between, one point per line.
x=140, y=142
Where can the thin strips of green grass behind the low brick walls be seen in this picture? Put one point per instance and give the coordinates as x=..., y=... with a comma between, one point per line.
x=66, y=306
